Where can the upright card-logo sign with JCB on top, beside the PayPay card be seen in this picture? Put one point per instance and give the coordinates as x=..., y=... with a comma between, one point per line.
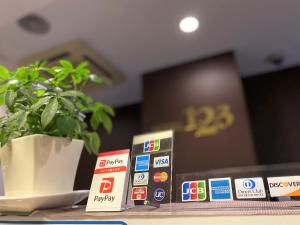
x=151, y=172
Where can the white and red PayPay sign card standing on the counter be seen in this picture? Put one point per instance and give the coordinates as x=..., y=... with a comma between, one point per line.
x=110, y=182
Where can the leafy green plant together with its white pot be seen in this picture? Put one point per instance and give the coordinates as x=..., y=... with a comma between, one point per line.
x=45, y=128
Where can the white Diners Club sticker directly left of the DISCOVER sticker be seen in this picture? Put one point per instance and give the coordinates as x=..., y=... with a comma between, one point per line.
x=249, y=188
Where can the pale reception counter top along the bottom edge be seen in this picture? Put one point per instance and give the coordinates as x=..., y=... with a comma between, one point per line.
x=245, y=213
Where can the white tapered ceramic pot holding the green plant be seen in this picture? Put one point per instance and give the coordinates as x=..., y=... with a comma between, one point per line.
x=39, y=165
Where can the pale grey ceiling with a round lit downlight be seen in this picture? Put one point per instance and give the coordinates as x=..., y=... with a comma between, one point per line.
x=136, y=36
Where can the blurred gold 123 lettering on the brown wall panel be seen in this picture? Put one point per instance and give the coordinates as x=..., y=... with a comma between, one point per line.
x=202, y=121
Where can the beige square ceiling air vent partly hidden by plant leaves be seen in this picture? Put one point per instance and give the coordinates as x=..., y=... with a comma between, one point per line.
x=77, y=52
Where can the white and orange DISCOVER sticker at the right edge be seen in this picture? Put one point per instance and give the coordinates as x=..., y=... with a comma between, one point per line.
x=284, y=186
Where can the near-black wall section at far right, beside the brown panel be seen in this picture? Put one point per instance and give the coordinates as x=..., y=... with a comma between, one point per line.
x=274, y=104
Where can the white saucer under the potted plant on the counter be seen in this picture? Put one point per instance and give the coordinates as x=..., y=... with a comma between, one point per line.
x=29, y=204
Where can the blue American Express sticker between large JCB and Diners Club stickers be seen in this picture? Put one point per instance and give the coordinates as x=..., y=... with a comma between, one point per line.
x=220, y=189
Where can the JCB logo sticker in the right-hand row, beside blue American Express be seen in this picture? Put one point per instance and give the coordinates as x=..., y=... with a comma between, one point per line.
x=193, y=191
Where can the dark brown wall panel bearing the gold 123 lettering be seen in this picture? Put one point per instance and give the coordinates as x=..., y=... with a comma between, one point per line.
x=208, y=83
